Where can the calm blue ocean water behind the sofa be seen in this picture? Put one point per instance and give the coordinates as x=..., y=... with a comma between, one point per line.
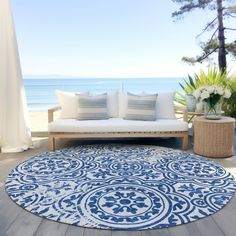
x=40, y=93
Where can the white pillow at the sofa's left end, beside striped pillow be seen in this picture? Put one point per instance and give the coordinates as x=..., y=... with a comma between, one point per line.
x=69, y=104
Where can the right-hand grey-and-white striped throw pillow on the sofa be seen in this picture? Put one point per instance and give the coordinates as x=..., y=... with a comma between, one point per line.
x=141, y=107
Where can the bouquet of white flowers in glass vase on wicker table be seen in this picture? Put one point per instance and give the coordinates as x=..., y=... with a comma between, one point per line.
x=211, y=96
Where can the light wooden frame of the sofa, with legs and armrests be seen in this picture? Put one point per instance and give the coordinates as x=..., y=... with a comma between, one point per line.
x=52, y=136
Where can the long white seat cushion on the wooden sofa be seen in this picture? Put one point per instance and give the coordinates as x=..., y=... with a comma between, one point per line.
x=116, y=125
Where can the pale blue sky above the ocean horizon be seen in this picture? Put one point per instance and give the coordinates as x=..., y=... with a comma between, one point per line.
x=107, y=38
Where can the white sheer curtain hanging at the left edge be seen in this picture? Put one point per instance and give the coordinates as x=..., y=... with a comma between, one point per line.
x=14, y=130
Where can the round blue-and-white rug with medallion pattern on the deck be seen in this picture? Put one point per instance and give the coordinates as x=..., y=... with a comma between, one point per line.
x=120, y=186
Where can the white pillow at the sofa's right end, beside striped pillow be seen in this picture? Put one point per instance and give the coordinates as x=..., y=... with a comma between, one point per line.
x=165, y=106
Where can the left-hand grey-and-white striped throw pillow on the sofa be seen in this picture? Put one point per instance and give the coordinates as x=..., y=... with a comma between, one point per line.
x=92, y=107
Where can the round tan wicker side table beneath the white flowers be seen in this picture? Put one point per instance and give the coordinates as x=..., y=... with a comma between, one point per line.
x=213, y=138
